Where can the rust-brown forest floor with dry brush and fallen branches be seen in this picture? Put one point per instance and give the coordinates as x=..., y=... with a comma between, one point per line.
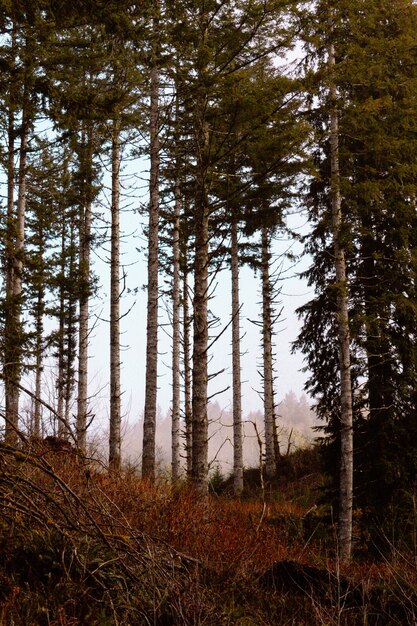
x=79, y=547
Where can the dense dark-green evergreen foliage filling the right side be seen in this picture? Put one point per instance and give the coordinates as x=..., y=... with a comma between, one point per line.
x=376, y=81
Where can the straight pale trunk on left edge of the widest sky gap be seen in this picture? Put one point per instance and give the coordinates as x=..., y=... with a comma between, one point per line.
x=115, y=412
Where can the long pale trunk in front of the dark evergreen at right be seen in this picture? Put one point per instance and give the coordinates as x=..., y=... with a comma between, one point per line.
x=346, y=415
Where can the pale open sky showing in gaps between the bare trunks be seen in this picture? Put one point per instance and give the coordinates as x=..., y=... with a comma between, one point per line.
x=133, y=325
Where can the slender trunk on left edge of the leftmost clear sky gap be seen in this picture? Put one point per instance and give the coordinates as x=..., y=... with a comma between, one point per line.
x=85, y=244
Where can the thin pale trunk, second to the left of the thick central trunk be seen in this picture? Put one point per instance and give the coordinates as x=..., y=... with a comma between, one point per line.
x=176, y=306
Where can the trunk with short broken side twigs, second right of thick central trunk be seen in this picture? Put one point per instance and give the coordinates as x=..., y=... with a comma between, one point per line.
x=268, y=376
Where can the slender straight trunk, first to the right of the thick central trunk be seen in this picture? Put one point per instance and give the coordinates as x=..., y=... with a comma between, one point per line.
x=237, y=386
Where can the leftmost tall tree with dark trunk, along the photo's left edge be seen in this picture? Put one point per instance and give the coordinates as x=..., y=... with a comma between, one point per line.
x=22, y=108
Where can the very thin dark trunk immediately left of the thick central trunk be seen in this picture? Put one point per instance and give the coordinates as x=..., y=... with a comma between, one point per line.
x=188, y=409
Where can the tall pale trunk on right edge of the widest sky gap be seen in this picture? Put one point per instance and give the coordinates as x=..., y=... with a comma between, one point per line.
x=149, y=418
